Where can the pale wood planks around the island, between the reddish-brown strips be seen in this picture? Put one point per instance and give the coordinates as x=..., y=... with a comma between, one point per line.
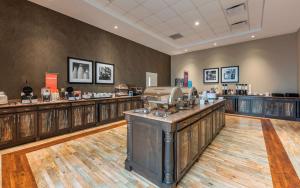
x=237, y=158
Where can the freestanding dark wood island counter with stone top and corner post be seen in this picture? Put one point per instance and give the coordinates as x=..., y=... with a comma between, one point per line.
x=164, y=149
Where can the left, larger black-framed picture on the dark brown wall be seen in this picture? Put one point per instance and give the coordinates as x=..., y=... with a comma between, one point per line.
x=80, y=71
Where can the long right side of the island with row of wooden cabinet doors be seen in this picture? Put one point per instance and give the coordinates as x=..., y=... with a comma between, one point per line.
x=194, y=138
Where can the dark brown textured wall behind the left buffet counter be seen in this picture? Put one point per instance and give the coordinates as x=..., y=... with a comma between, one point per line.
x=35, y=40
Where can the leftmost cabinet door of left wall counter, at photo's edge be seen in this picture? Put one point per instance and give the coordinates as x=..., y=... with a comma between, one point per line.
x=7, y=129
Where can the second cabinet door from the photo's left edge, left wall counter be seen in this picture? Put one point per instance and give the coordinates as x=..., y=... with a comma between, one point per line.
x=26, y=126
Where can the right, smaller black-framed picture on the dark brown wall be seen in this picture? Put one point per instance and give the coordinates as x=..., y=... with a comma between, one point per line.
x=105, y=73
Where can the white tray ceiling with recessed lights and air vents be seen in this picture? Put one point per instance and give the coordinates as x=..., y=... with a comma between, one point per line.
x=151, y=22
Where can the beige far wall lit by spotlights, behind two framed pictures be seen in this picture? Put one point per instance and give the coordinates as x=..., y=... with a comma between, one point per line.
x=269, y=65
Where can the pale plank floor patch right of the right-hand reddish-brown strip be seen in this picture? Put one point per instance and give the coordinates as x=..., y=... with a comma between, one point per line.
x=289, y=134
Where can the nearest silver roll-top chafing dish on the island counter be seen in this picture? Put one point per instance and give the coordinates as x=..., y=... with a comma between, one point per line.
x=161, y=100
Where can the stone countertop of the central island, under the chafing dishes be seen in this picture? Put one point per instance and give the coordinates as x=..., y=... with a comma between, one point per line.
x=176, y=117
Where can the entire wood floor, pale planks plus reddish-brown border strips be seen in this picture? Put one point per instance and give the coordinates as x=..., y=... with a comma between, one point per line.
x=239, y=157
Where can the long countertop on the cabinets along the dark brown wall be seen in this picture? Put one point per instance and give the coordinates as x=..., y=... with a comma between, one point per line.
x=17, y=103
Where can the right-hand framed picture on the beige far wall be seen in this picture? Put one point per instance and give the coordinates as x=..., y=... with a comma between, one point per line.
x=230, y=74
